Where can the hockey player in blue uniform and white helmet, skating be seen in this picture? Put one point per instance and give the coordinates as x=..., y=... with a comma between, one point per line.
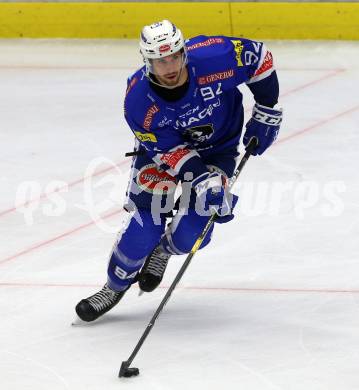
x=186, y=113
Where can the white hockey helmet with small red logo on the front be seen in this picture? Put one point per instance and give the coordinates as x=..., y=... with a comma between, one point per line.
x=159, y=40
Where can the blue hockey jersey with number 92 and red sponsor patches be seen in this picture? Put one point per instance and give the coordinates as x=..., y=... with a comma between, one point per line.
x=209, y=117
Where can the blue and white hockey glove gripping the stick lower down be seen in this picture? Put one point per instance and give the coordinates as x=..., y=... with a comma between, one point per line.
x=214, y=196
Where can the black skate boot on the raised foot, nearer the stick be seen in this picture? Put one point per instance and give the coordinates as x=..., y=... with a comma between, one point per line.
x=152, y=271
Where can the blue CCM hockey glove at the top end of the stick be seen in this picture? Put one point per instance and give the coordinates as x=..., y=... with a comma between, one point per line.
x=264, y=125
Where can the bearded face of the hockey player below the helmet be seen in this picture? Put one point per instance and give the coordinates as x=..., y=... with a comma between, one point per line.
x=170, y=70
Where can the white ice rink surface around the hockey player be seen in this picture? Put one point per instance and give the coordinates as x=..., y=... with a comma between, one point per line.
x=272, y=303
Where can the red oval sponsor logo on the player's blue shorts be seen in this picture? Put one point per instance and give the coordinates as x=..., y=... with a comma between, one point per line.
x=155, y=181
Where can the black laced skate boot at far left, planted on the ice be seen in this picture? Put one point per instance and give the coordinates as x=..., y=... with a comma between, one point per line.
x=96, y=305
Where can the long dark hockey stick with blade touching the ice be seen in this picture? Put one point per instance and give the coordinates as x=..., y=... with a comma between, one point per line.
x=126, y=370
